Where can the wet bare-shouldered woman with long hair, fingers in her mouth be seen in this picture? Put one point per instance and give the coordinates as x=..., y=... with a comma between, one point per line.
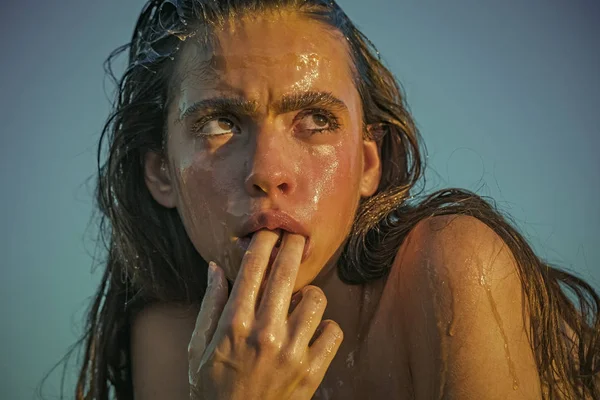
x=267, y=137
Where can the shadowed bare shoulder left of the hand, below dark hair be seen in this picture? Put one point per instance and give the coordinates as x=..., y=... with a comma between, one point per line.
x=160, y=335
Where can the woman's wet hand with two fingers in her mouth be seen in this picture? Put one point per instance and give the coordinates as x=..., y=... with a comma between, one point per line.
x=252, y=347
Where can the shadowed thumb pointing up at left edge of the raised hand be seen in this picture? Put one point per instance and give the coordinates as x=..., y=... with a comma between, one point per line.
x=210, y=312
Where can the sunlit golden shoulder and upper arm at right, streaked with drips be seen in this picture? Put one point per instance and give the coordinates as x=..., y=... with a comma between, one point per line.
x=463, y=315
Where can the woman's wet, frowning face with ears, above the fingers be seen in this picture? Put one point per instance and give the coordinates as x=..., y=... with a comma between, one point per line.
x=266, y=129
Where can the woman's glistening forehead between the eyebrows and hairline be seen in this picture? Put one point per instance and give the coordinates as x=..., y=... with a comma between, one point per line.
x=269, y=55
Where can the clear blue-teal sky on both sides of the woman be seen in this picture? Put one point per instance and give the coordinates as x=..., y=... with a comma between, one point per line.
x=506, y=94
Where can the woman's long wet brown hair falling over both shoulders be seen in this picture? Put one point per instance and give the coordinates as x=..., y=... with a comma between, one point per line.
x=151, y=259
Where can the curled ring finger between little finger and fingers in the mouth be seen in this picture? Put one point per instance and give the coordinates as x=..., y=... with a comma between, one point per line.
x=306, y=317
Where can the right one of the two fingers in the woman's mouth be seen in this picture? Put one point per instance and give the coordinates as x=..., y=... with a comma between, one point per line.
x=275, y=301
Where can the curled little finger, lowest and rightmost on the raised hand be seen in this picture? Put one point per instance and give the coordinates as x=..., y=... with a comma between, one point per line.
x=327, y=342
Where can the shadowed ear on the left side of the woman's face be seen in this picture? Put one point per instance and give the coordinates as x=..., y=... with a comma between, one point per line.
x=159, y=180
